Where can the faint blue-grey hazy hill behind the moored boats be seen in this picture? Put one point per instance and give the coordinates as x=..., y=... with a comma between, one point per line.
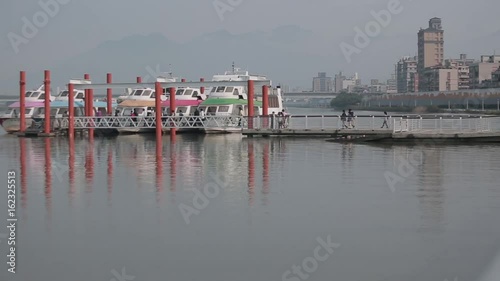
x=269, y=53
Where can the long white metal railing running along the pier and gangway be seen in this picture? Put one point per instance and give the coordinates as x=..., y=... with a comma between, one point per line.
x=291, y=122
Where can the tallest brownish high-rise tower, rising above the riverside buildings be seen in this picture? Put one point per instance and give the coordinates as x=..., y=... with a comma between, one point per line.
x=431, y=45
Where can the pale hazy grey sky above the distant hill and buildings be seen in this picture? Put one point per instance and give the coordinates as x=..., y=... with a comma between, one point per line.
x=471, y=27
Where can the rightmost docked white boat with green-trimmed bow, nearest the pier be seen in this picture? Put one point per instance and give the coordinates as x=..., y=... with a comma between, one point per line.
x=226, y=101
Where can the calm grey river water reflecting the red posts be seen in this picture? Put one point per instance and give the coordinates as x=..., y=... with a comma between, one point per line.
x=217, y=208
